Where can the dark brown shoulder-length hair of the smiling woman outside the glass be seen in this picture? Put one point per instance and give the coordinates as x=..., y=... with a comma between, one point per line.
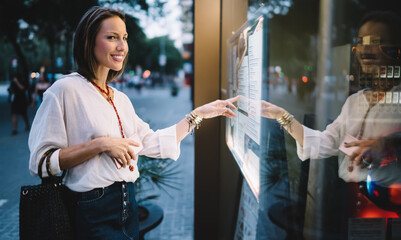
x=85, y=38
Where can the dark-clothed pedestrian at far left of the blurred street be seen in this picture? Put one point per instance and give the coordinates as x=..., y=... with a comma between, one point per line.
x=19, y=102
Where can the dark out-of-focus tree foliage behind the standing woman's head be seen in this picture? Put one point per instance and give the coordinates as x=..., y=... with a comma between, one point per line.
x=49, y=32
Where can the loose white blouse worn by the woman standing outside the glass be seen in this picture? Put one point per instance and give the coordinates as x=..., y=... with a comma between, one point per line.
x=74, y=112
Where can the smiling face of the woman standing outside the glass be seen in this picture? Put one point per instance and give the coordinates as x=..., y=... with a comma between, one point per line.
x=111, y=46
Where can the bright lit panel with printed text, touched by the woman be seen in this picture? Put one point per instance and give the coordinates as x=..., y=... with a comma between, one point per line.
x=244, y=77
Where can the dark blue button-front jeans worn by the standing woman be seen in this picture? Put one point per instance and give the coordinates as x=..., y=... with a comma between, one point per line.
x=108, y=213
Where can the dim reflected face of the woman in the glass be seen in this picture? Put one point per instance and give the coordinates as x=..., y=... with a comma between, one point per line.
x=370, y=38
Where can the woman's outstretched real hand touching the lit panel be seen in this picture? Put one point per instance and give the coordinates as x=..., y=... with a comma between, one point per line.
x=217, y=108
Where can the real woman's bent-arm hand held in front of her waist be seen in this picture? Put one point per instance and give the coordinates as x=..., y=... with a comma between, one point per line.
x=120, y=148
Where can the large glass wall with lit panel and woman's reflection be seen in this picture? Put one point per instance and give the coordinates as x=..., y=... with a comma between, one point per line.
x=329, y=168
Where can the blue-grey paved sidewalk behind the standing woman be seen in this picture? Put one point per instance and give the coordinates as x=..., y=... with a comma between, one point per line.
x=155, y=106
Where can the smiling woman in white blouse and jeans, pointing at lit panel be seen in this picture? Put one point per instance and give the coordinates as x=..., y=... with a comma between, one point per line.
x=96, y=130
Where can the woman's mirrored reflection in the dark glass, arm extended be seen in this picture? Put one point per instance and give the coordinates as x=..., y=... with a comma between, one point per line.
x=365, y=115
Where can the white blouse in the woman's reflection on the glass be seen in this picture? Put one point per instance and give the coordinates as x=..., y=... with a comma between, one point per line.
x=382, y=119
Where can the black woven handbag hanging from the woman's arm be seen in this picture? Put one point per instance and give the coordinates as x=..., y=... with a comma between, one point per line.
x=44, y=210
